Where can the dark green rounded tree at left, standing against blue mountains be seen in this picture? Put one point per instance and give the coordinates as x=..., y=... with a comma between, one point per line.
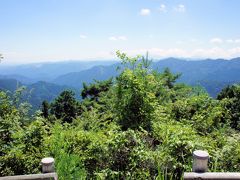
x=65, y=106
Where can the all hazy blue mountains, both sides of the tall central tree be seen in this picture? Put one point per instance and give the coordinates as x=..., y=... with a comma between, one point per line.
x=47, y=80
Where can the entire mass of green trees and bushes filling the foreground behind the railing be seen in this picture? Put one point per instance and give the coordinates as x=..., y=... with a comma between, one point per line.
x=142, y=124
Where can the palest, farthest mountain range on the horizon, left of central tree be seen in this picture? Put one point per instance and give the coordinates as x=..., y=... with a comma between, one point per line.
x=31, y=73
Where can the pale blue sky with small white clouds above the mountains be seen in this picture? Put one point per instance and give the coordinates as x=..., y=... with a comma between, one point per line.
x=55, y=30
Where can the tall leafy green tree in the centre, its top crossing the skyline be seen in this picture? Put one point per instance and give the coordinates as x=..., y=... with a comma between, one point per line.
x=135, y=93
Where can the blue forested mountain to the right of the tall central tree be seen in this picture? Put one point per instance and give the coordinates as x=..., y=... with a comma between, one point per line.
x=213, y=75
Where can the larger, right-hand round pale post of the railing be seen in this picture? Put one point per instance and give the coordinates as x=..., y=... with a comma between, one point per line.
x=200, y=161
